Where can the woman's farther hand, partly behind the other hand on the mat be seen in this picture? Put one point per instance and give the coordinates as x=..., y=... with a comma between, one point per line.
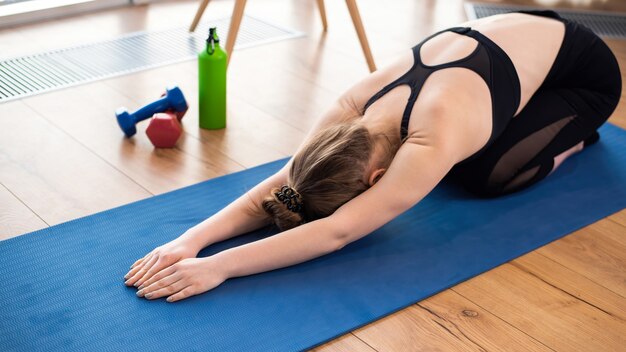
x=157, y=260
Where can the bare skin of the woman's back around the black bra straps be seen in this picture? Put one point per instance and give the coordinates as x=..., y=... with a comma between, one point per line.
x=531, y=42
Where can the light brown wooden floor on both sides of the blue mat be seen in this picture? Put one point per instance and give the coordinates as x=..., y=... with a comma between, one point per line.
x=62, y=156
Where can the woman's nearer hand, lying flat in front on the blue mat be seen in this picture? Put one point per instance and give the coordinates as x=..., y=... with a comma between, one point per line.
x=186, y=278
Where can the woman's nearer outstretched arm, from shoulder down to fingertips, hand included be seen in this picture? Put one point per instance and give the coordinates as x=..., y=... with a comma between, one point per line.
x=415, y=171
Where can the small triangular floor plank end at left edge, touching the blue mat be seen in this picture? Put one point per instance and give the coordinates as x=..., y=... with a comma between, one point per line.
x=15, y=217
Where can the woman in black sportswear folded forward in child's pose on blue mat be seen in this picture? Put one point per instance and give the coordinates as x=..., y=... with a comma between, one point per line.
x=499, y=102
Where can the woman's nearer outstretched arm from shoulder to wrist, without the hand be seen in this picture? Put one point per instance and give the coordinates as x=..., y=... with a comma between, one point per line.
x=415, y=171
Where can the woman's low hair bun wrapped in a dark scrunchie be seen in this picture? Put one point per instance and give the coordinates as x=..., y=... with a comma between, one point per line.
x=284, y=207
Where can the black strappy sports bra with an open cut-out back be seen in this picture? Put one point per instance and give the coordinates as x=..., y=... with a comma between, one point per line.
x=487, y=60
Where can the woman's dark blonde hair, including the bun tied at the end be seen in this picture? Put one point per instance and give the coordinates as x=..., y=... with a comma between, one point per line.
x=326, y=173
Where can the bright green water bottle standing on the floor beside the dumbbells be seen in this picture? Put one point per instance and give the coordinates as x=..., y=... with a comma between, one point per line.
x=212, y=63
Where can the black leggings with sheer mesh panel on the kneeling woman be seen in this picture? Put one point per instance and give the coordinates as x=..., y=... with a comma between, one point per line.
x=578, y=95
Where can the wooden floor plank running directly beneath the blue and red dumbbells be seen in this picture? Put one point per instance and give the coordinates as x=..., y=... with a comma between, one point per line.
x=90, y=119
